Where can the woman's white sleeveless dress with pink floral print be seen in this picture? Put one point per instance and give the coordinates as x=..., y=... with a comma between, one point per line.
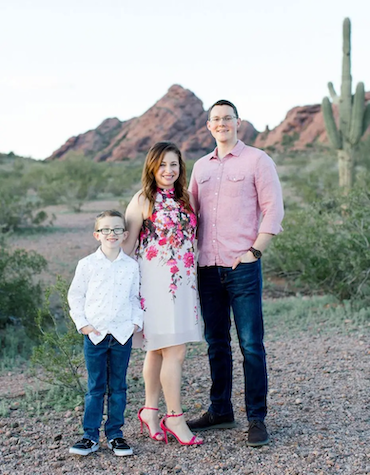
x=168, y=286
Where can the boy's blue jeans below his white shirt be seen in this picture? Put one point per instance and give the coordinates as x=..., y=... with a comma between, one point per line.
x=106, y=365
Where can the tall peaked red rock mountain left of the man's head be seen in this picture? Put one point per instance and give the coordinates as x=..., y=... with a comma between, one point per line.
x=178, y=116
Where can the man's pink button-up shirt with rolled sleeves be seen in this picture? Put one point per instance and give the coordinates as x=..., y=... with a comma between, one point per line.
x=237, y=197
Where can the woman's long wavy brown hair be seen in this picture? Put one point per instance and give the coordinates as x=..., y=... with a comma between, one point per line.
x=152, y=163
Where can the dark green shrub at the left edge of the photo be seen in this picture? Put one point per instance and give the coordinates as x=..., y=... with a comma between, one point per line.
x=20, y=295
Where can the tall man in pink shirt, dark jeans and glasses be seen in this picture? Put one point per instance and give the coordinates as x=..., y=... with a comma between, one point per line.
x=240, y=208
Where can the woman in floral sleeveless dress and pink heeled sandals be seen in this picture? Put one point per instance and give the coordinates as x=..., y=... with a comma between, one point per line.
x=160, y=216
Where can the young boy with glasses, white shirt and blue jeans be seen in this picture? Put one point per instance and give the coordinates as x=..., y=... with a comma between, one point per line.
x=105, y=307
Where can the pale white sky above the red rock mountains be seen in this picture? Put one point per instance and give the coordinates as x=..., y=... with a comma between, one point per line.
x=66, y=65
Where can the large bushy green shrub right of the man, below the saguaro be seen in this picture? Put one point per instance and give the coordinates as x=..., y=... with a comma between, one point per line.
x=326, y=247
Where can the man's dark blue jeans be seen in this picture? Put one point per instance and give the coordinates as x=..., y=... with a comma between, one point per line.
x=221, y=288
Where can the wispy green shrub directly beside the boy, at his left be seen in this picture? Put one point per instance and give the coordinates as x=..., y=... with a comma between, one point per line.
x=60, y=351
